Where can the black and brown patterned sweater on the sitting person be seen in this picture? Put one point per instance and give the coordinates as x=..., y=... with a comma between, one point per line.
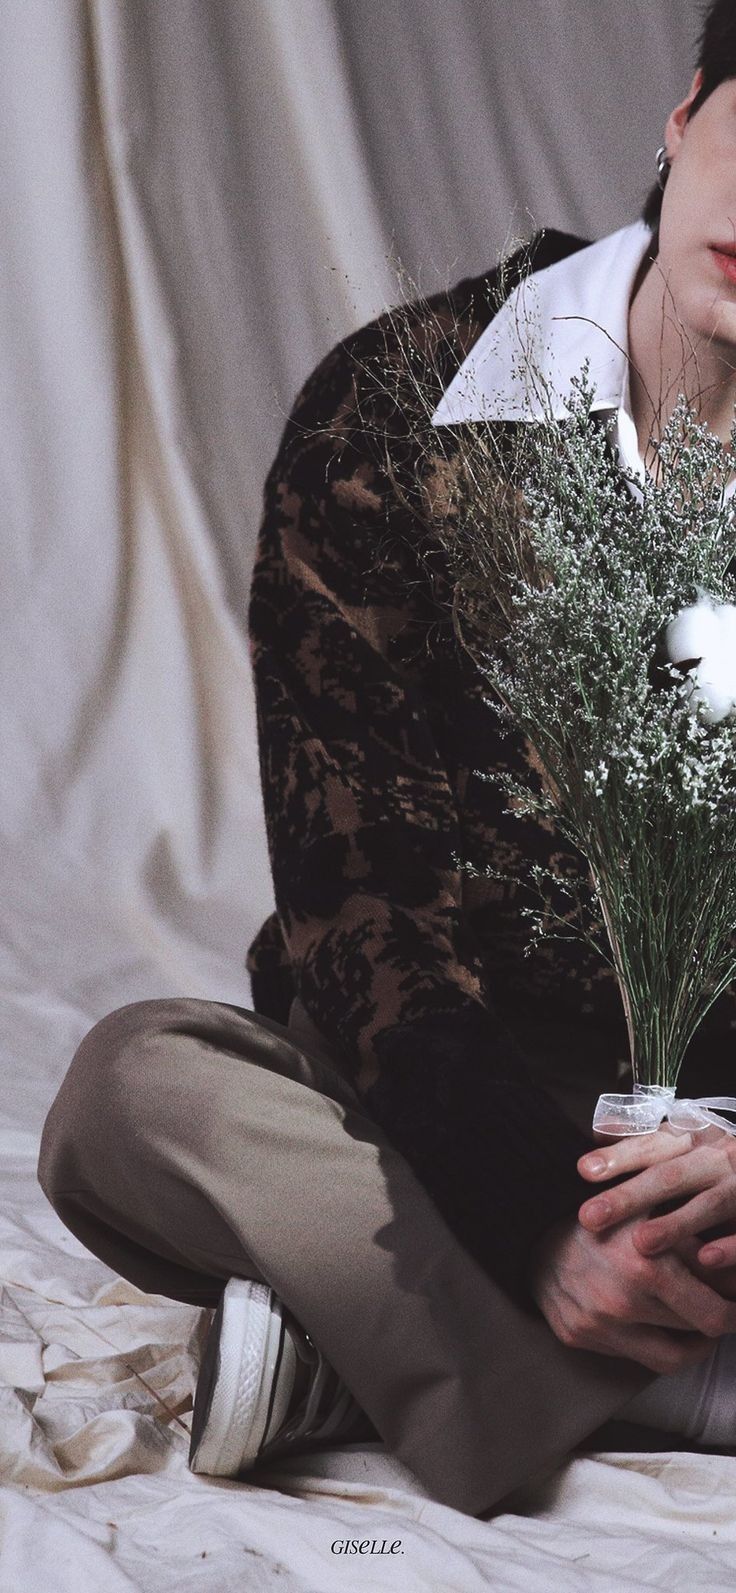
x=372, y=724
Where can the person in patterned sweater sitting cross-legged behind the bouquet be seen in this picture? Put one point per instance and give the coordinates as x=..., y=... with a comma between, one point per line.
x=380, y=1178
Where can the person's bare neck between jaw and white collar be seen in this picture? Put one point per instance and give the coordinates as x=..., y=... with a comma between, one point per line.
x=665, y=362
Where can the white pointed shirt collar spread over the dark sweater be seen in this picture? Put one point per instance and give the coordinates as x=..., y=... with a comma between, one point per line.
x=523, y=364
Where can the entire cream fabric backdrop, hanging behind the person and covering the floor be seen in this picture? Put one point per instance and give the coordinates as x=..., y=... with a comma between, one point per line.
x=197, y=200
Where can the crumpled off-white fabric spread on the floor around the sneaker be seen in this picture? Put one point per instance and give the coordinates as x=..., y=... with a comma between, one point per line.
x=96, y=1385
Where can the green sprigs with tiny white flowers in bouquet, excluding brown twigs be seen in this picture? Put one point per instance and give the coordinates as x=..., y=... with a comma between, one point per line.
x=644, y=789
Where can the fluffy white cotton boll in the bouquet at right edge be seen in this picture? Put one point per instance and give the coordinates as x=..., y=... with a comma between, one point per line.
x=707, y=632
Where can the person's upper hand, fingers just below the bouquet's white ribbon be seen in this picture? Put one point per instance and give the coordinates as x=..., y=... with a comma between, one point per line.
x=697, y=1172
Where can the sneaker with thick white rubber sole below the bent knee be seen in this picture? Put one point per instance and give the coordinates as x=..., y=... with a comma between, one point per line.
x=264, y=1388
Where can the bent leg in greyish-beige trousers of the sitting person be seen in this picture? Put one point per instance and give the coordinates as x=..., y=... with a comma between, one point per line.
x=194, y=1141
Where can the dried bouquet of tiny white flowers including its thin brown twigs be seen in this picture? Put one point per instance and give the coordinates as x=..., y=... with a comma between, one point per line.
x=562, y=587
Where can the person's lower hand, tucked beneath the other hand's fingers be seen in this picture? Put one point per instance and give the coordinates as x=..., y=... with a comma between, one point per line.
x=600, y=1293
